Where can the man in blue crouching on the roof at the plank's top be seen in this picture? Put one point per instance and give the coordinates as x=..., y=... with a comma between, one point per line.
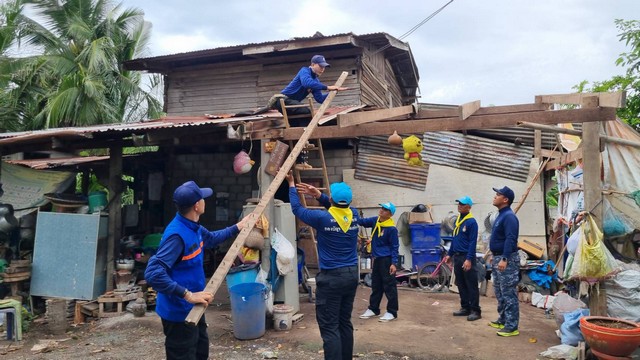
x=305, y=82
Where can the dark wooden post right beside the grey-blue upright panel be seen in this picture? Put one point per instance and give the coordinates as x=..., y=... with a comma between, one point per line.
x=115, y=210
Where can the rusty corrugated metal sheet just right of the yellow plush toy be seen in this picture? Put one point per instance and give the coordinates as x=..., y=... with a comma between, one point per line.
x=481, y=155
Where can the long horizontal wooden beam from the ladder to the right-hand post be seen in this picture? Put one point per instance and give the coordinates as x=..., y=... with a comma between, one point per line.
x=448, y=124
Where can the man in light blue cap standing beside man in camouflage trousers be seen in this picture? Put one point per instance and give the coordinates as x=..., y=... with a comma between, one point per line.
x=463, y=253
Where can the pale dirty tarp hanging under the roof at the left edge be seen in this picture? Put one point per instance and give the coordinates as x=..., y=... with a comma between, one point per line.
x=24, y=188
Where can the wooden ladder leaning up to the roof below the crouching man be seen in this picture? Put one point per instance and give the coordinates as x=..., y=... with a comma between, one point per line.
x=305, y=232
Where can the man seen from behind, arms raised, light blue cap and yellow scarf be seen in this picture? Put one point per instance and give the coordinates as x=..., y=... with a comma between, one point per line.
x=337, y=281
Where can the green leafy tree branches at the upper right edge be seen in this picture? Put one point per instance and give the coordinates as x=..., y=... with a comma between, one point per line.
x=629, y=33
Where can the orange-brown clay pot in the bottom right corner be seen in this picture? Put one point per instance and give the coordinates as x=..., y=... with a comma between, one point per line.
x=610, y=340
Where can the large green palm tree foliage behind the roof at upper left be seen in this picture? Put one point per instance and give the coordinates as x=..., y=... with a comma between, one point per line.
x=74, y=76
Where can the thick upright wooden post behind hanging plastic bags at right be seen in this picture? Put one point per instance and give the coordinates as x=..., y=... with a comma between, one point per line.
x=593, y=193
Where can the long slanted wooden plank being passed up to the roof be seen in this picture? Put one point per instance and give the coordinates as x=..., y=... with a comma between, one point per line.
x=218, y=277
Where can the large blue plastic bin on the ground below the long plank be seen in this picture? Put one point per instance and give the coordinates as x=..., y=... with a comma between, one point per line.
x=248, y=310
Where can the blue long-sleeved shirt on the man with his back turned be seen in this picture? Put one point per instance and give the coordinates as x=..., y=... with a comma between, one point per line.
x=336, y=248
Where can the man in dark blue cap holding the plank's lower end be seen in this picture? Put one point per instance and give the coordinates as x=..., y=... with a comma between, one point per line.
x=176, y=272
